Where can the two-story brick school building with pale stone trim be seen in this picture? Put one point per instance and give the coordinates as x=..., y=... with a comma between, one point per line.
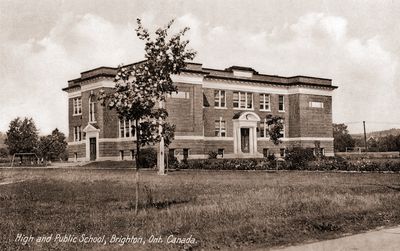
x=221, y=111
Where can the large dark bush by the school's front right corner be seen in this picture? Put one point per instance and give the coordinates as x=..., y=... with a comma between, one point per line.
x=298, y=157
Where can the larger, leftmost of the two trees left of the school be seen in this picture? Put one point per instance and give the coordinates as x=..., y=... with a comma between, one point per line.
x=22, y=136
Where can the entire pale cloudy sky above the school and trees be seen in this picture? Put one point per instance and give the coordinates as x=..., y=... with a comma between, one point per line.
x=45, y=43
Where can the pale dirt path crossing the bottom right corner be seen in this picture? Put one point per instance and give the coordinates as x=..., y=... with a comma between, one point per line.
x=382, y=240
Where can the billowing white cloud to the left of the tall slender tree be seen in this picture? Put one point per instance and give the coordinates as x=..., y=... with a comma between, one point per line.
x=36, y=70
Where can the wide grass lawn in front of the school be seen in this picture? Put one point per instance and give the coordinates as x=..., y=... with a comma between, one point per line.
x=220, y=210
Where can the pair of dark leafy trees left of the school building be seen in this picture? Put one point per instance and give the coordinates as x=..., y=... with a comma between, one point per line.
x=23, y=137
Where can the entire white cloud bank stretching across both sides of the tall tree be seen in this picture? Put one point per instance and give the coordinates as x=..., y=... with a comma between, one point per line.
x=315, y=44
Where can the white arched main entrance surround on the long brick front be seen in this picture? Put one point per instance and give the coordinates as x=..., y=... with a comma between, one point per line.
x=245, y=134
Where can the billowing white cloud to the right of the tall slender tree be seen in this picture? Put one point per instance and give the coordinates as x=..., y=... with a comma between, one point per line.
x=318, y=45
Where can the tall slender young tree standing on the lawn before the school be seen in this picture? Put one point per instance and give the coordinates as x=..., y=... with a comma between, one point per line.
x=141, y=89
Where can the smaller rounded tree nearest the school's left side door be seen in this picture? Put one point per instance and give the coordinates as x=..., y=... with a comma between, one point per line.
x=53, y=146
